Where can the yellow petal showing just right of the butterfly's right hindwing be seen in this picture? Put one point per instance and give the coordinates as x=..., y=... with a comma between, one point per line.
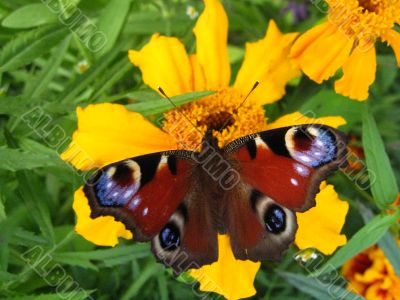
x=329, y=214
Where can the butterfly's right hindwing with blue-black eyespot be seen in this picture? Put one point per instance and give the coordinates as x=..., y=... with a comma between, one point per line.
x=259, y=227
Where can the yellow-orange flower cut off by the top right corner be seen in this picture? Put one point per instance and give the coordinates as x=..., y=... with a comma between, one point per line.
x=347, y=39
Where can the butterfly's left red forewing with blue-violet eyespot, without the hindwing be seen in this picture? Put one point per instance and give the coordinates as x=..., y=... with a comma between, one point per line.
x=142, y=192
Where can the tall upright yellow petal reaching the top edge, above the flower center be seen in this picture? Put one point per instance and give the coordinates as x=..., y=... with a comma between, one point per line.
x=211, y=32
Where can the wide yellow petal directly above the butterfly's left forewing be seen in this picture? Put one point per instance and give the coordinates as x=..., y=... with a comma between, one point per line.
x=109, y=132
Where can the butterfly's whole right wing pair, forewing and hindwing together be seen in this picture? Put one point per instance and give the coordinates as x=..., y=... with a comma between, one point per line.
x=281, y=171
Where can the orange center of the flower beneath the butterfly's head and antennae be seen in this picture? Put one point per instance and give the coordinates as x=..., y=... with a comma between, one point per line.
x=225, y=113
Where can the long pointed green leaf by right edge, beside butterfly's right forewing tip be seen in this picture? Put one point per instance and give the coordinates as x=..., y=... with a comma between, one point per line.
x=382, y=180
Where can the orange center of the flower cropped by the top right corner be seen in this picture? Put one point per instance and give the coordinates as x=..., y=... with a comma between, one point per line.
x=364, y=20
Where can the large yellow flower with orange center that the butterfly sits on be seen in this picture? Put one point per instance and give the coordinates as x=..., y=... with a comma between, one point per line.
x=108, y=132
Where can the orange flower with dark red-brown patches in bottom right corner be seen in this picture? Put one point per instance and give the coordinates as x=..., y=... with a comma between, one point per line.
x=371, y=275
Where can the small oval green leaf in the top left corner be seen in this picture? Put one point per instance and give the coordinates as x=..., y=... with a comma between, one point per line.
x=28, y=16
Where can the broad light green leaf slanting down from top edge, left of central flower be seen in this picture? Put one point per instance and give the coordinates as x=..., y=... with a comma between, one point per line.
x=111, y=22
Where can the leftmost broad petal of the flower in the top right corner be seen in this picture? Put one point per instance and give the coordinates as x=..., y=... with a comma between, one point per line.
x=321, y=51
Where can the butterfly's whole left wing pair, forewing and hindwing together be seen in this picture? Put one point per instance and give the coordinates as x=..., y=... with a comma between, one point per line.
x=155, y=197
